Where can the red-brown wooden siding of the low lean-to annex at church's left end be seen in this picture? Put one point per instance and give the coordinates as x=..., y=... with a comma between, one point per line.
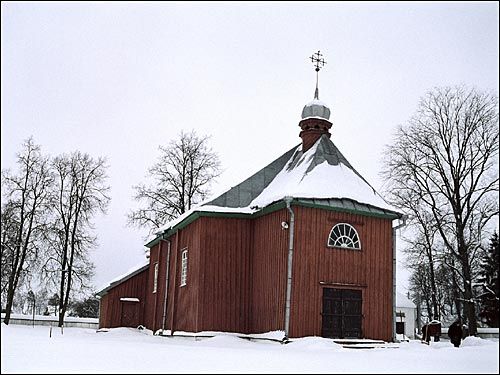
x=110, y=306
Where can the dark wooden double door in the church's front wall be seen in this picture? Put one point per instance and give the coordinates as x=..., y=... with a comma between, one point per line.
x=342, y=314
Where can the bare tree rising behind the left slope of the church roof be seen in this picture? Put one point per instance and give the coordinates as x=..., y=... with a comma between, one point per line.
x=182, y=177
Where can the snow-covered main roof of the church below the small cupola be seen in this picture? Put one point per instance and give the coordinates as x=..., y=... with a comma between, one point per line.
x=320, y=173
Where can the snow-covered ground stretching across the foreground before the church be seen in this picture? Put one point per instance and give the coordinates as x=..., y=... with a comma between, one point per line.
x=28, y=349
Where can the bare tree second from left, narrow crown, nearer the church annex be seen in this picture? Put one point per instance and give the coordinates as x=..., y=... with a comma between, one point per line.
x=80, y=192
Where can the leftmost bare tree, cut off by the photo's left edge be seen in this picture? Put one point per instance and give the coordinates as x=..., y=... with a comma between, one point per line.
x=23, y=217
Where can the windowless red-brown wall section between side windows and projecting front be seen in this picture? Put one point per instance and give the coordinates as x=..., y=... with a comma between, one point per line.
x=225, y=278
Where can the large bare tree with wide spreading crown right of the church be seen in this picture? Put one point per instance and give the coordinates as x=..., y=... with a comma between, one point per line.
x=447, y=157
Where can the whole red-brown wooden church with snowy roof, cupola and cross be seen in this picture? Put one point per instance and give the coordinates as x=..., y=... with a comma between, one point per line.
x=305, y=246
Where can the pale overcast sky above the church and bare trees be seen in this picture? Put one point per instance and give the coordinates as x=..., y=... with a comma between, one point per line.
x=119, y=79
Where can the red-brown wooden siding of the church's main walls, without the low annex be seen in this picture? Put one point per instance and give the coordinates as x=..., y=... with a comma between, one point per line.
x=237, y=271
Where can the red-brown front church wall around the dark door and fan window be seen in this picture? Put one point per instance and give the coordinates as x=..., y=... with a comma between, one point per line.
x=317, y=266
